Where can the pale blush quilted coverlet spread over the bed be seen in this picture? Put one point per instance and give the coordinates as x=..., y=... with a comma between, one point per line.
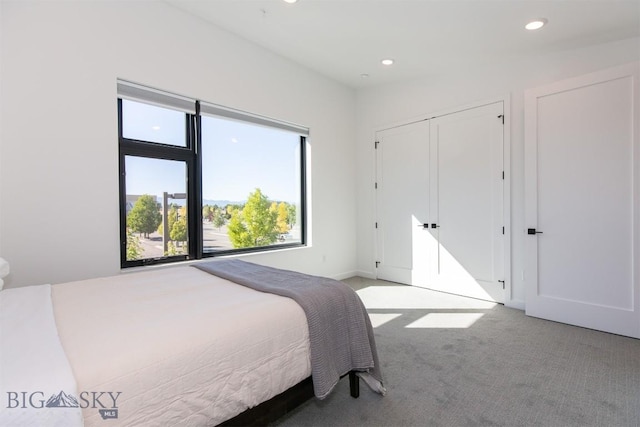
x=182, y=347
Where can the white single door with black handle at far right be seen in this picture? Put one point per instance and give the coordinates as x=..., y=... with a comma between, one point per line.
x=582, y=201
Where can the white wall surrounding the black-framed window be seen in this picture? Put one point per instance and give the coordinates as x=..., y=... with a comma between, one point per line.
x=58, y=141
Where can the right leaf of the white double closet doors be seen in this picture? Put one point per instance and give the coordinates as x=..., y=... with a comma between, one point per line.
x=467, y=203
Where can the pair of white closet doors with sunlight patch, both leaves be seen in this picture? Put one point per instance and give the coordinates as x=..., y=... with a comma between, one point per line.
x=439, y=203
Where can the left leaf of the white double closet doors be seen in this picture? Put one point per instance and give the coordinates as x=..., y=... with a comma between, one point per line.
x=402, y=203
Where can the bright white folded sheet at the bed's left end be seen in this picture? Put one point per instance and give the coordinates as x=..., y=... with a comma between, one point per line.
x=33, y=365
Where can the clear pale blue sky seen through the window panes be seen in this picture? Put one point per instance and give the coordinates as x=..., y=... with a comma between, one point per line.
x=237, y=157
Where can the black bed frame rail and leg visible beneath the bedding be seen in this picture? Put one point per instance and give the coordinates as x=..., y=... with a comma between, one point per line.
x=274, y=408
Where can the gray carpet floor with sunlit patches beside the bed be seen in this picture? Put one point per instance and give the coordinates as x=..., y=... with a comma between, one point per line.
x=453, y=361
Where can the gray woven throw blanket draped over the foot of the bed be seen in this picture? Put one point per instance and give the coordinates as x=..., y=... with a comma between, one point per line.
x=340, y=333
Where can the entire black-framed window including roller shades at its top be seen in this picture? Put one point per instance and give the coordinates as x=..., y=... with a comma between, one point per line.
x=200, y=180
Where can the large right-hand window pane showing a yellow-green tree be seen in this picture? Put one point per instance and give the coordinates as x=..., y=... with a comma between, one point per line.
x=250, y=185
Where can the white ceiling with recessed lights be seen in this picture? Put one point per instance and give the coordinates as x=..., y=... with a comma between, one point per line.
x=344, y=39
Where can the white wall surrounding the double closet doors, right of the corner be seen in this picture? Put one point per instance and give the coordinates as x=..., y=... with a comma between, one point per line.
x=395, y=103
